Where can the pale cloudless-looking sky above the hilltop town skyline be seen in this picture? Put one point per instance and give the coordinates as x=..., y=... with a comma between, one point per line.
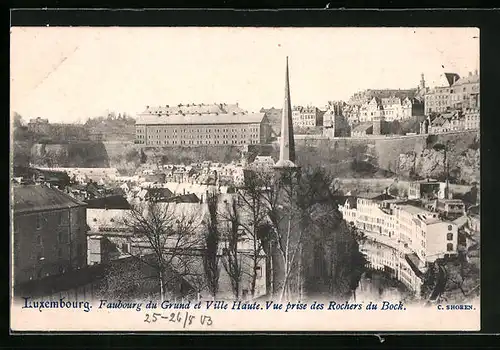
x=70, y=74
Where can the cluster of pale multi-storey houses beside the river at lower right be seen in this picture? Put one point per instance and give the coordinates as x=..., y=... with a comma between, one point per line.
x=404, y=236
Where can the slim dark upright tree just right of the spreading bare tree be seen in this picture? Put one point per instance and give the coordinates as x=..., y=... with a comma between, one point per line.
x=212, y=239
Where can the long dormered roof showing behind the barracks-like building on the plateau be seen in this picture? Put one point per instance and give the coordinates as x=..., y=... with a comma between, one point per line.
x=193, y=108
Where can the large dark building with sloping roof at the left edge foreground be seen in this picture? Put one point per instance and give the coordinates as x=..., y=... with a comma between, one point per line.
x=49, y=233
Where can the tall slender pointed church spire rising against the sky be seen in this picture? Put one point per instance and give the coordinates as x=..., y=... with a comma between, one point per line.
x=287, y=143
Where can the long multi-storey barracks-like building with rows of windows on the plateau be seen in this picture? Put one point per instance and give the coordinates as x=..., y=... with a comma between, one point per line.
x=236, y=128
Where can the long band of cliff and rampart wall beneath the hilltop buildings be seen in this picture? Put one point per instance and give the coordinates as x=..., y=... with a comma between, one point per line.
x=404, y=157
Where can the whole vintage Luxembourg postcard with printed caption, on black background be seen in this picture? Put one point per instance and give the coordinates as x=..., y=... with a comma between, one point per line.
x=245, y=179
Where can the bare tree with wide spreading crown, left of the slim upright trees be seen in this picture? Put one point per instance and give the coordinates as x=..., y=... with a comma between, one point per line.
x=165, y=233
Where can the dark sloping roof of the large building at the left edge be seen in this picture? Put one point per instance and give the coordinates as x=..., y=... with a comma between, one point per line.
x=41, y=198
